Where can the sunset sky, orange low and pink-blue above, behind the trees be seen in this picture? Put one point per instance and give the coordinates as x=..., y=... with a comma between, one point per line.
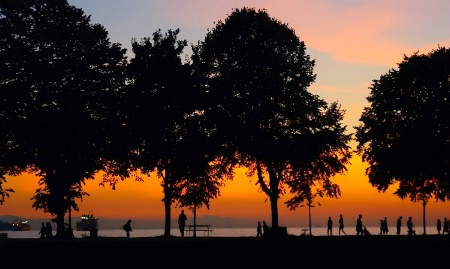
x=353, y=43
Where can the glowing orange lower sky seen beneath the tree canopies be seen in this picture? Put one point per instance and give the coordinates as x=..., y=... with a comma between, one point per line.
x=240, y=198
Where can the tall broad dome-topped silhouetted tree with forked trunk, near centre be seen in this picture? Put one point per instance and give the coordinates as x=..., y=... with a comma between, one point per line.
x=256, y=74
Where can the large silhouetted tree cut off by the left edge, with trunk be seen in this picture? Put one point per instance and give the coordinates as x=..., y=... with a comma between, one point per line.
x=60, y=79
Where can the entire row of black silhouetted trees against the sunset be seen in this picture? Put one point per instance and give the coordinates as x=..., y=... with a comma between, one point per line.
x=73, y=105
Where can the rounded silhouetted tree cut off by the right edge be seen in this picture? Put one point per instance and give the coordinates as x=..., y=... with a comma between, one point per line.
x=404, y=133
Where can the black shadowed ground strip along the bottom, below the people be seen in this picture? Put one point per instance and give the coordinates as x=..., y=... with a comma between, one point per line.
x=214, y=252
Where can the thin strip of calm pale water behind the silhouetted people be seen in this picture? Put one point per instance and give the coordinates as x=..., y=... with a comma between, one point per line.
x=218, y=232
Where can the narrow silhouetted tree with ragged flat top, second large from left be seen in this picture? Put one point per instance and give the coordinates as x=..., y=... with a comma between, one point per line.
x=159, y=100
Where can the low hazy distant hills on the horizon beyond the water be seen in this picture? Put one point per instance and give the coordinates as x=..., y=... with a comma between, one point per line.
x=104, y=223
